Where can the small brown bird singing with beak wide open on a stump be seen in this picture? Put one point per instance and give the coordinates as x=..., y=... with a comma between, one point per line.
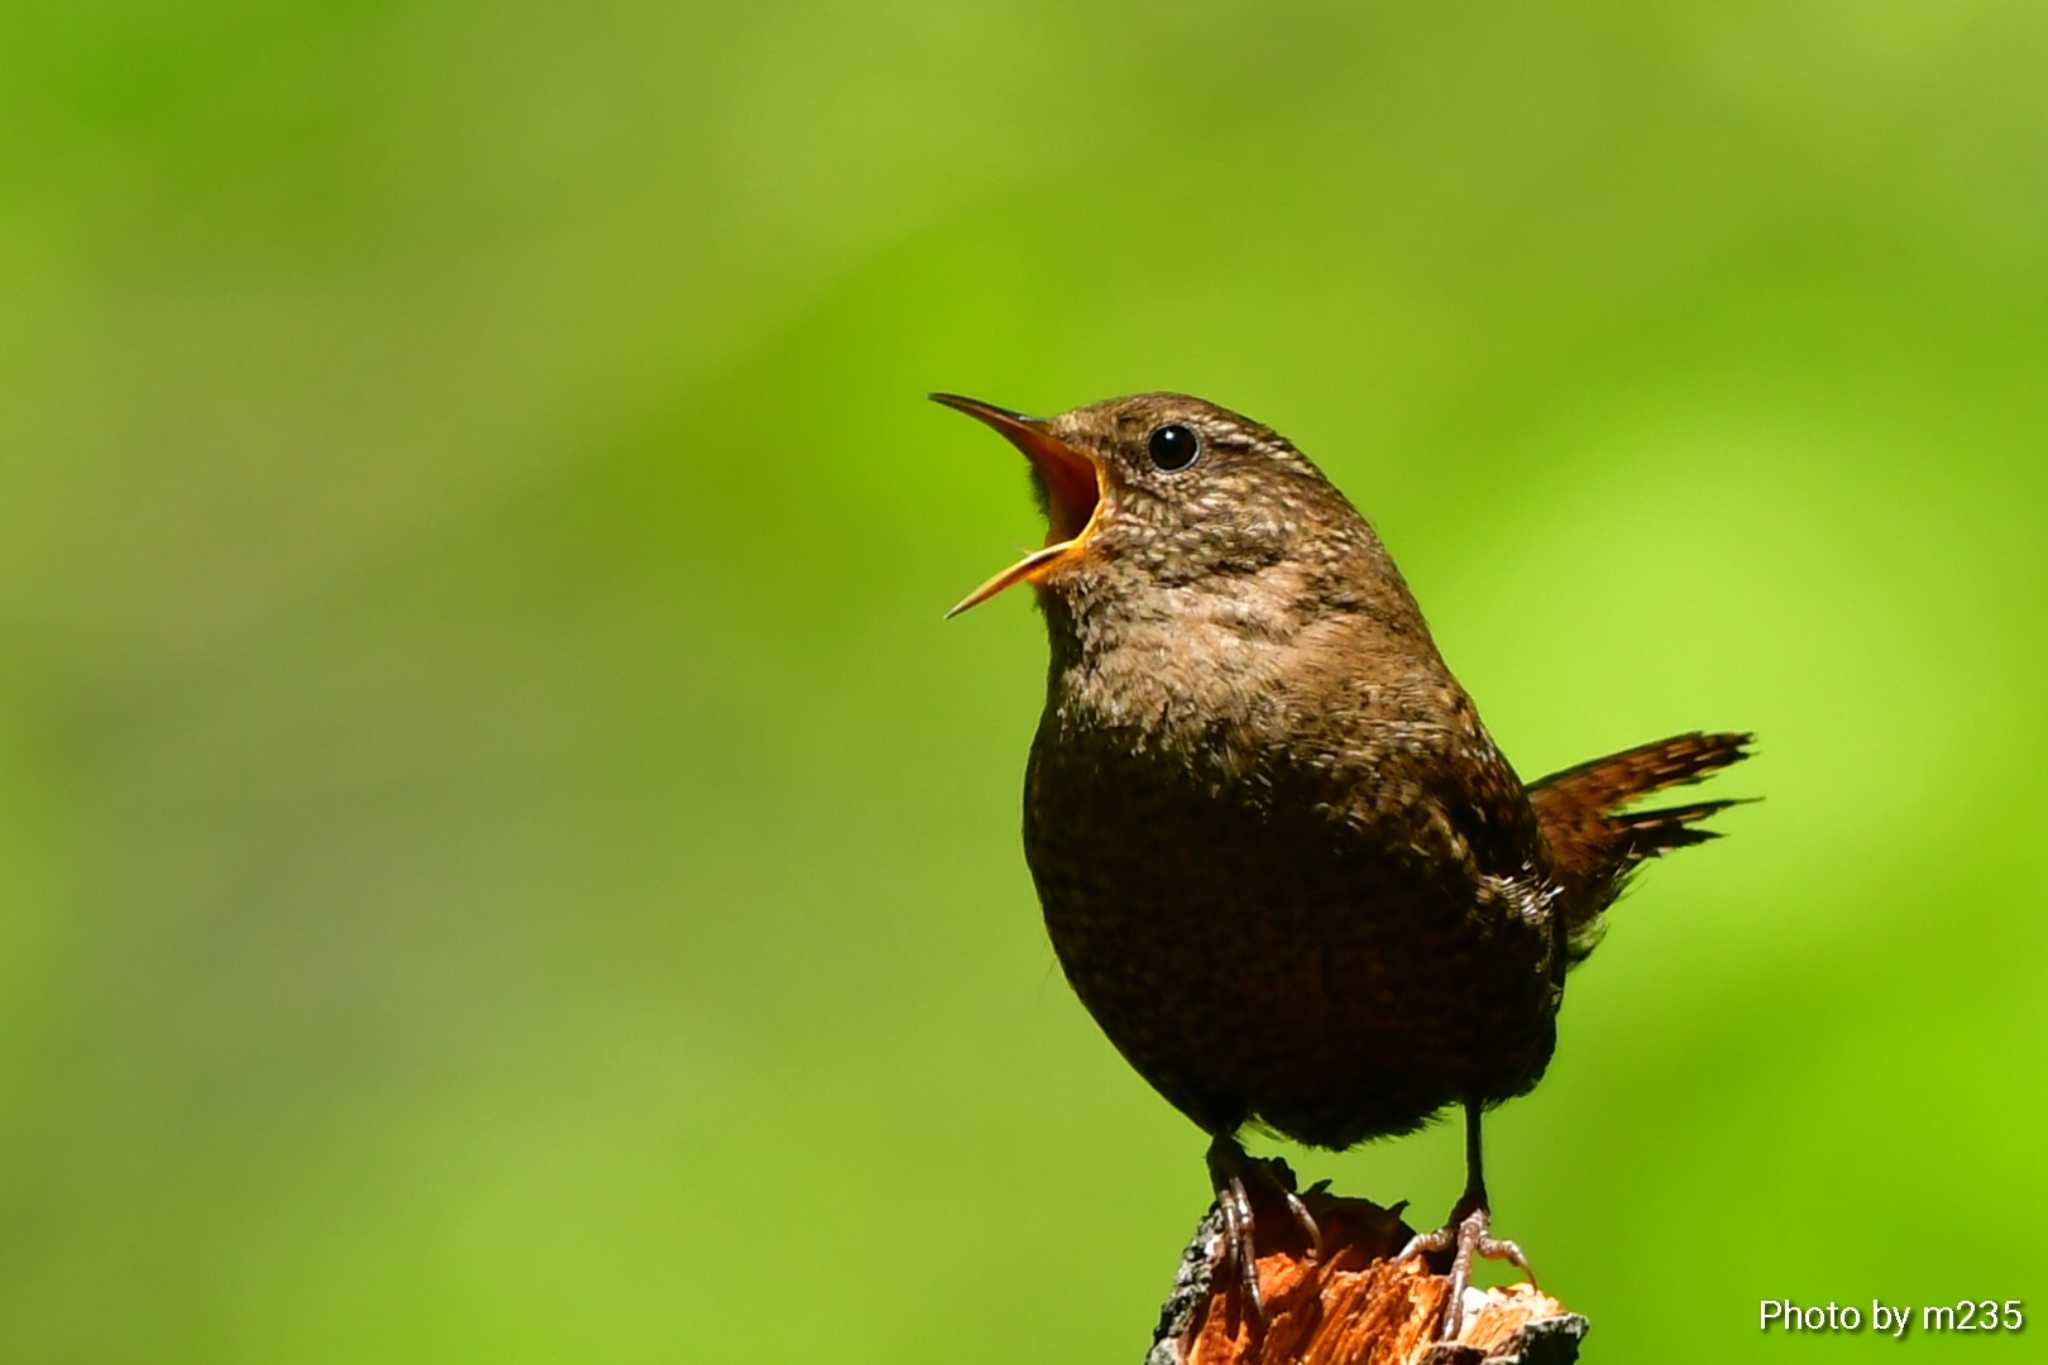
x=1281, y=861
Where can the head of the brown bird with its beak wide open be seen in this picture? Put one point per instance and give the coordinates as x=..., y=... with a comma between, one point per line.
x=1164, y=490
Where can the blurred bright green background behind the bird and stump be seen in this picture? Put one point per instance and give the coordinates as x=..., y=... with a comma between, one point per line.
x=505, y=863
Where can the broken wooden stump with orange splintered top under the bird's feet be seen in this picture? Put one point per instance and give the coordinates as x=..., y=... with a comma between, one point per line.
x=1353, y=1307
